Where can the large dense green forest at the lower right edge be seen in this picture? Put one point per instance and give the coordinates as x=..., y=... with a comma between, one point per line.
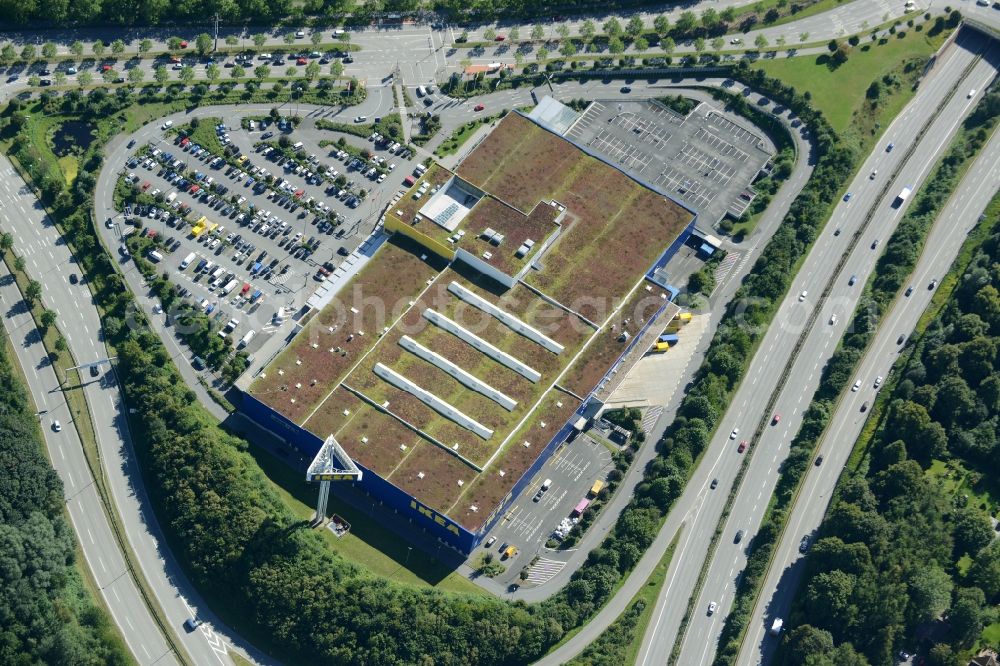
x=908, y=555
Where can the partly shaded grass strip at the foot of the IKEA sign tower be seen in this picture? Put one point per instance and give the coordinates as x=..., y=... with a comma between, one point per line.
x=368, y=544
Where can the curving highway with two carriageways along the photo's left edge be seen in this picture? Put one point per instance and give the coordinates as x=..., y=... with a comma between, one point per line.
x=48, y=260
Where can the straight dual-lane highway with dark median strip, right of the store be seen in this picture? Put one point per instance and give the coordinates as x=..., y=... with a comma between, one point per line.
x=701, y=507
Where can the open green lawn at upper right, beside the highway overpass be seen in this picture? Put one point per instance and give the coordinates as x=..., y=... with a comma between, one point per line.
x=829, y=87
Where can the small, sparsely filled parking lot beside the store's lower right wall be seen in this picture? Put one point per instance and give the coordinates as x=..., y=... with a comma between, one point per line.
x=530, y=521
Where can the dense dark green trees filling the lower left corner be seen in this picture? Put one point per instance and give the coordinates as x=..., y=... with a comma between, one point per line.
x=46, y=614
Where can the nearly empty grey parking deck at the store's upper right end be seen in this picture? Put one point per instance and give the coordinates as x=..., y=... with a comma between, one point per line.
x=705, y=160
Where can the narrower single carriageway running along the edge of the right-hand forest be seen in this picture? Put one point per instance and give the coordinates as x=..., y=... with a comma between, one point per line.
x=943, y=244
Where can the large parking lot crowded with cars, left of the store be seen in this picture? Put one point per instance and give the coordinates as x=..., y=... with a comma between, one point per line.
x=250, y=233
